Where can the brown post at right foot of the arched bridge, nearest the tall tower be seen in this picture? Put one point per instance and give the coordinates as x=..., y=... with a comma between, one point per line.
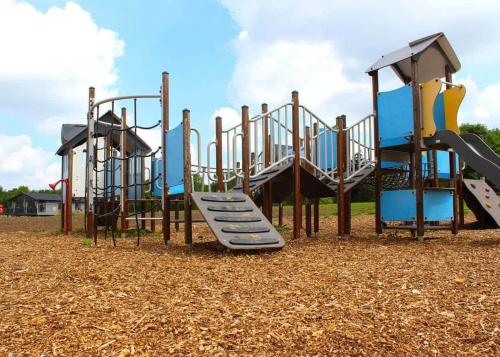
x=340, y=173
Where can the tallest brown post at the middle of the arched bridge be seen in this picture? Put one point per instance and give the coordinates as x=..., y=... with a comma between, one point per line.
x=297, y=204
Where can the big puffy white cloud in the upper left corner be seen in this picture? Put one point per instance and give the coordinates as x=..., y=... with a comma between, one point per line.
x=49, y=59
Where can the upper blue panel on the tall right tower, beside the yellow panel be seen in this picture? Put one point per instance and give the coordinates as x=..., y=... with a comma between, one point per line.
x=395, y=116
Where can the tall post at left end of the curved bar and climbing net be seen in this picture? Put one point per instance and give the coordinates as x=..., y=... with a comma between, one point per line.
x=90, y=166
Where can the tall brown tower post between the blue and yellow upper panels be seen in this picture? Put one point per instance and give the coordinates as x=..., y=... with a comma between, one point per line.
x=417, y=145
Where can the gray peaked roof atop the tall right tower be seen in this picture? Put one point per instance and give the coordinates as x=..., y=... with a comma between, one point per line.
x=432, y=53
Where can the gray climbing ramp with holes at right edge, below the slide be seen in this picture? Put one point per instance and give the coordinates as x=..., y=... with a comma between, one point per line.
x=483, y=201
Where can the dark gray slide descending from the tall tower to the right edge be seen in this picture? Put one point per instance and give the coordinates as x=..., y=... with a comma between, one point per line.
x=473, y=155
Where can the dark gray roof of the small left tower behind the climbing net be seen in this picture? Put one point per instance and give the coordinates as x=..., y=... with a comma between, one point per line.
x=73, y=135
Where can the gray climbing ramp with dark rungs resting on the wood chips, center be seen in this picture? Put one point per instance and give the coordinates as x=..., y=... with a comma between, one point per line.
x=236, y=221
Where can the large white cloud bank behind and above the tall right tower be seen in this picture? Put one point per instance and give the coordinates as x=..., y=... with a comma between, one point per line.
x=323, y=47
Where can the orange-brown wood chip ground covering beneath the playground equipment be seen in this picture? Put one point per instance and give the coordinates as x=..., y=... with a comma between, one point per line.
x=353, y=296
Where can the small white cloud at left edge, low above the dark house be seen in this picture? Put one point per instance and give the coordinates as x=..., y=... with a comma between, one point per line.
x=23, y=164
